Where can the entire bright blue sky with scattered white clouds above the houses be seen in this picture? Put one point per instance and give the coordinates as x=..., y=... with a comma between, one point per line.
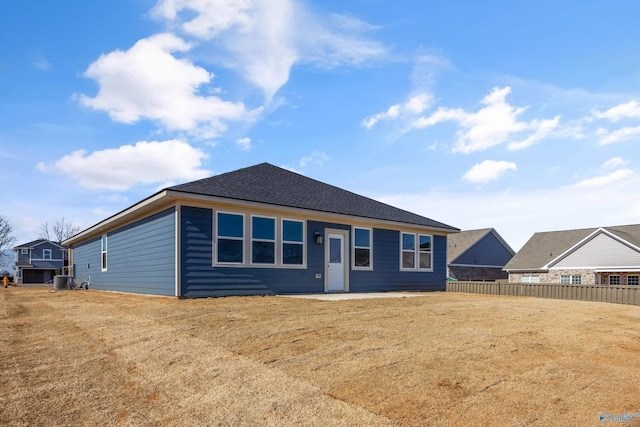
x=523, y=116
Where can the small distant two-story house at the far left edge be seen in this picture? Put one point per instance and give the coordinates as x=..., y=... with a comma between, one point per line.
x=39, y=261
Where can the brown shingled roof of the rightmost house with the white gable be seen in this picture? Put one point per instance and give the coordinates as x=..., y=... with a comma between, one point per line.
x=546, y=246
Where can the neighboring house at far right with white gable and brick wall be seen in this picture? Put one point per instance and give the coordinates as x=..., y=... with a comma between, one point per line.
x=603, y=256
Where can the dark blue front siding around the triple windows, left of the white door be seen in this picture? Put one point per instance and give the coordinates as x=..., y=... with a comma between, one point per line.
x=200, y=279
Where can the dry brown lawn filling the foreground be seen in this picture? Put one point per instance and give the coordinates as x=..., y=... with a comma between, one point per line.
x=99, y=358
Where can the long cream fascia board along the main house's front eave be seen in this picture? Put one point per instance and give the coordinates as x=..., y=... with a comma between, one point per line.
x=215, y=199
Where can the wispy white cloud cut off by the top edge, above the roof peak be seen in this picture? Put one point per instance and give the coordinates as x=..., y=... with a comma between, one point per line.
x=264, y=39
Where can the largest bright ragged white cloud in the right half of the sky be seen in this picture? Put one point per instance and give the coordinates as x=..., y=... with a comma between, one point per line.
x=495, y=123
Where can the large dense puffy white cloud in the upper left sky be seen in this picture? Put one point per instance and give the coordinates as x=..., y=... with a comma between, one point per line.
x=147, y=81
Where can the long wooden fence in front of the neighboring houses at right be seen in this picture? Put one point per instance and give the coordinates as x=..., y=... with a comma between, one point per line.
x=601, y=293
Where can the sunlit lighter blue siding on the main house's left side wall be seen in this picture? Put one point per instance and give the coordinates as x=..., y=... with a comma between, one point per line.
x=141, y=257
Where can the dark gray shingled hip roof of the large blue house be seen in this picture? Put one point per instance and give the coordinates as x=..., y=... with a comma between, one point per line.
x=265, y=183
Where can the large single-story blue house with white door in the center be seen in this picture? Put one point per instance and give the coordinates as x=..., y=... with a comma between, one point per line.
x=257, y=231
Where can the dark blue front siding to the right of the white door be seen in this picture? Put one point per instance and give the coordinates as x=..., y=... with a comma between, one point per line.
x=386, y=274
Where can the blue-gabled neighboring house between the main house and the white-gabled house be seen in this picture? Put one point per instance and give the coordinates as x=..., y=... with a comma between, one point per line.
x=477, y=255
